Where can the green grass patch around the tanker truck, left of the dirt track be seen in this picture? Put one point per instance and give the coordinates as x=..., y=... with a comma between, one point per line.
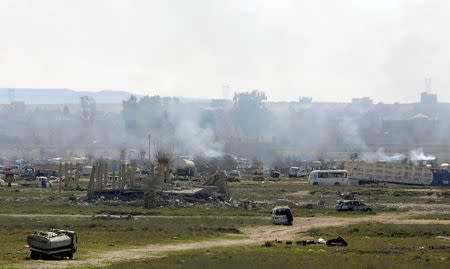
x=98, y=234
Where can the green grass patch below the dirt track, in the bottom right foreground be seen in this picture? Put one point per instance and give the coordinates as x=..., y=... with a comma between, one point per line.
x=370, y=246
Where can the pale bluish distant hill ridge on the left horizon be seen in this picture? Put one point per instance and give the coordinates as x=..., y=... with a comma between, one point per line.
x=60, y=96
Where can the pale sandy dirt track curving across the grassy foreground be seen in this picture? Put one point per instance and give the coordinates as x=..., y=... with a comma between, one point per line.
x=251, y=236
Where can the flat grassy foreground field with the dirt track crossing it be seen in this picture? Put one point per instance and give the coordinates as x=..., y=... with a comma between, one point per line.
x=163, y=236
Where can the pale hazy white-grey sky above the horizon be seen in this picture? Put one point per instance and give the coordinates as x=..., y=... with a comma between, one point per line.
x=330, y=50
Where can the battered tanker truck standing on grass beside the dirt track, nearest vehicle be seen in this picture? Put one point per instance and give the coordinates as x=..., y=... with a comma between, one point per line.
x=54, y=243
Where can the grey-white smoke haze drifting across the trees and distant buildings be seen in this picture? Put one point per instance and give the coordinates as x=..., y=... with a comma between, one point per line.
x=249, y=127
